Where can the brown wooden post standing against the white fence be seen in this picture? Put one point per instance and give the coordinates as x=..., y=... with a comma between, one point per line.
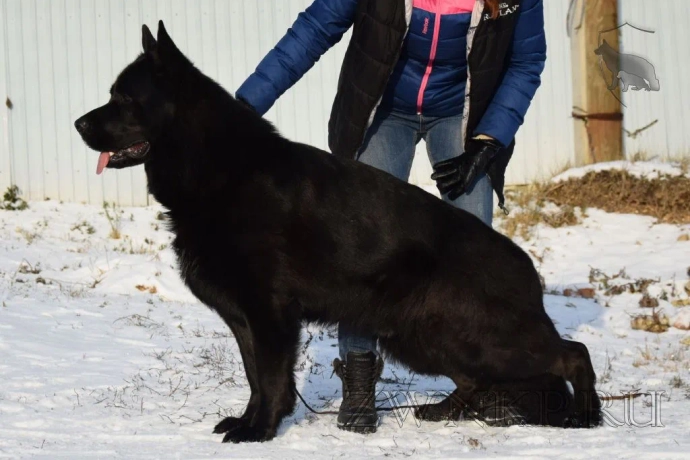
x=596, y=110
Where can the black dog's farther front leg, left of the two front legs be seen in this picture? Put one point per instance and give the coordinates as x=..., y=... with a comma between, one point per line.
x=243, y=335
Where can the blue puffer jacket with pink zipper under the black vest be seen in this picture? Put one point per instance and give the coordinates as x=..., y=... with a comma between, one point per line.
x=431, y=74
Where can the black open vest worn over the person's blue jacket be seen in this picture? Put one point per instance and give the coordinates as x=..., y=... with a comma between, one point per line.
x=378, y=33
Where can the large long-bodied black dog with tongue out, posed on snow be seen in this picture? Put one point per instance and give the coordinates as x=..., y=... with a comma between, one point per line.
x=271, y=233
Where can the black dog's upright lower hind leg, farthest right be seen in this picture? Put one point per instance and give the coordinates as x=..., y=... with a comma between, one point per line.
x=575, y=366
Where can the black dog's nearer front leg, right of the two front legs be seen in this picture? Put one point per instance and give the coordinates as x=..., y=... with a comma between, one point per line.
x=275, y=351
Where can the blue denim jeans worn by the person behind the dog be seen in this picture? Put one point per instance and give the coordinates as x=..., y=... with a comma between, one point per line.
x=390, y=145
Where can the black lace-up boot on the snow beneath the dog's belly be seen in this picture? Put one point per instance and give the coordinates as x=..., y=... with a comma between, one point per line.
x=359, y=375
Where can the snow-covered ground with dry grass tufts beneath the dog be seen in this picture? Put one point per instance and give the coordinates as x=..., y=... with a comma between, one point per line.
x=104, y=353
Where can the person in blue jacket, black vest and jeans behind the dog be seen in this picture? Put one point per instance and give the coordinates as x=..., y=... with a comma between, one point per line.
x=459, y=74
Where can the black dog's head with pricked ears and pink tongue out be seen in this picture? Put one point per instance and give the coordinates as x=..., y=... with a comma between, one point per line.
x=141, y=105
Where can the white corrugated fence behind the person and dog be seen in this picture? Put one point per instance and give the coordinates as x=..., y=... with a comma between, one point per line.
x=59, y=57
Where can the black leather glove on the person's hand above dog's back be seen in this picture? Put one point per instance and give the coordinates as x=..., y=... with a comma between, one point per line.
x=456, y=175
